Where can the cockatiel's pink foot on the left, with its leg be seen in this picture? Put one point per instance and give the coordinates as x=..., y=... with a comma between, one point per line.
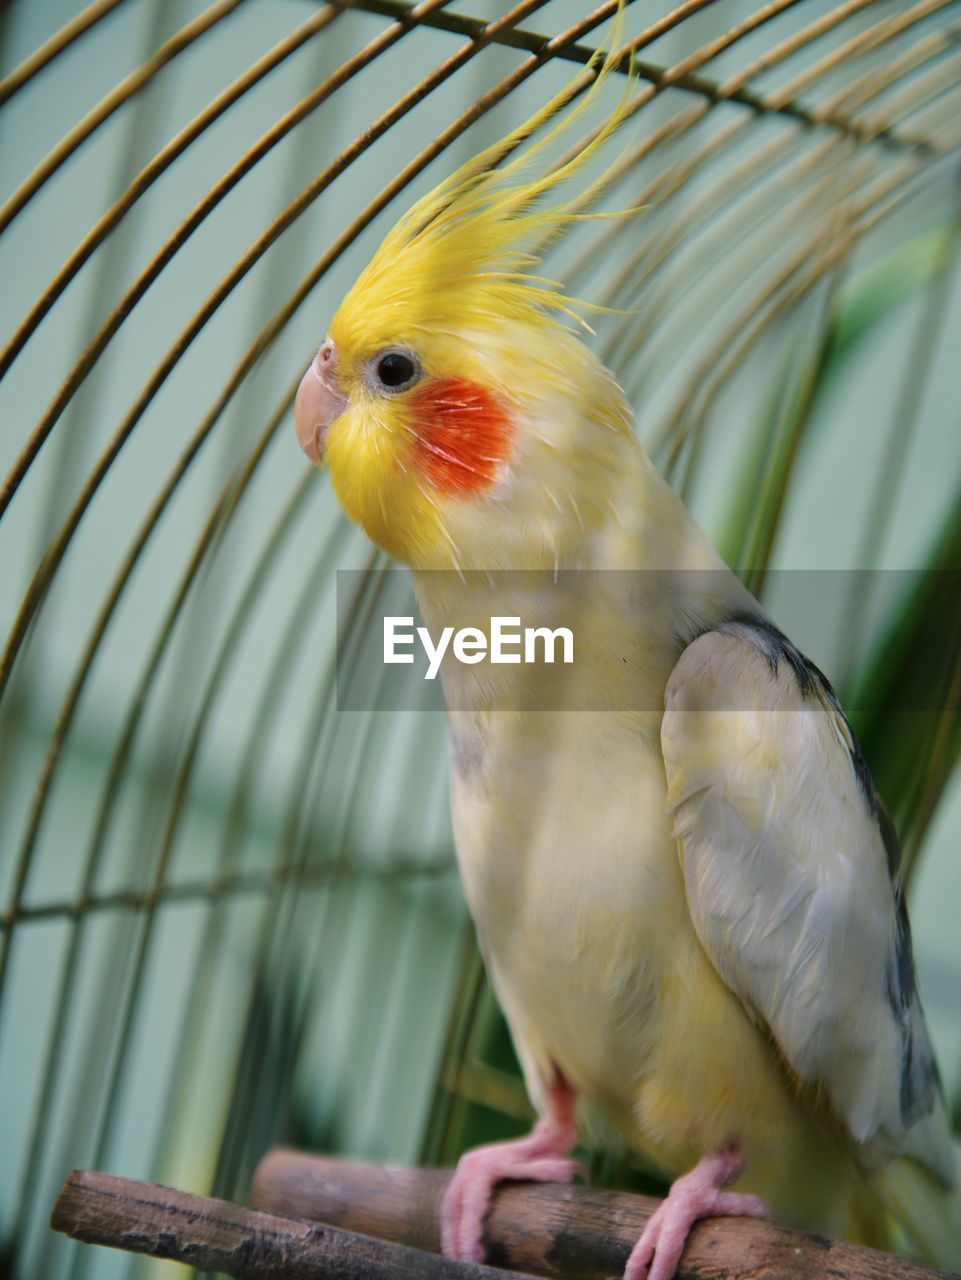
x=542, y=1156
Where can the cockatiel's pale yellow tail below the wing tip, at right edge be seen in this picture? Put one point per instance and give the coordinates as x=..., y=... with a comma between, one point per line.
x=928, y=1212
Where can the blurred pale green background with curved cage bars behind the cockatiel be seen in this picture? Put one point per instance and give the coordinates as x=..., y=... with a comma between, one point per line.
x=230, y=915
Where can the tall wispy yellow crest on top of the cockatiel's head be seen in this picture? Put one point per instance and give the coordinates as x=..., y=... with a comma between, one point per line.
x=460, y=260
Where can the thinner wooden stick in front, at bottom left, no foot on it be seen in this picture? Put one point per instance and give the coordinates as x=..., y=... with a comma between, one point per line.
x=217, y=1236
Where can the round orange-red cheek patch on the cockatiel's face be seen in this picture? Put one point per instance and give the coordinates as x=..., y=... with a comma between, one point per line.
x=463, y=433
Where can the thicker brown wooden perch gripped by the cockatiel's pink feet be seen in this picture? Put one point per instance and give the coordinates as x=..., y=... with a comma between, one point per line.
x=578, y=1233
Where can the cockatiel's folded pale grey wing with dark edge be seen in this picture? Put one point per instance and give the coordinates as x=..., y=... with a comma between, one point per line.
x=790, y=868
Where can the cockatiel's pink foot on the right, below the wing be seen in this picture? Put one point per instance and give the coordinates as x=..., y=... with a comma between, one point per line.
x=697, y=1195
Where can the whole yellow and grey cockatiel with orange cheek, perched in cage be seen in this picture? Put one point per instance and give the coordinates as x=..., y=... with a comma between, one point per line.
x=685, y=886
